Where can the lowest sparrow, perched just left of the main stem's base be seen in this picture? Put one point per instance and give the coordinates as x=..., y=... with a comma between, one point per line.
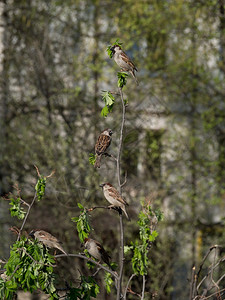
x=96, y=250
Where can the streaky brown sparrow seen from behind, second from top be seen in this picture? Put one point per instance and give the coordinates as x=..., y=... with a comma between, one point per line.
x=102, y=144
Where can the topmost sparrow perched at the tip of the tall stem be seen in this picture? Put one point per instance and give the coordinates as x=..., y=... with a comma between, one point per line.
x=123, y=61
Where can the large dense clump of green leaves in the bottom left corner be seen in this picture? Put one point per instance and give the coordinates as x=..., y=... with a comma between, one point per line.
x=29, y=267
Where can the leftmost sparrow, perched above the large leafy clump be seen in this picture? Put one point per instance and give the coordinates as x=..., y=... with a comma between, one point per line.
x=47, y=239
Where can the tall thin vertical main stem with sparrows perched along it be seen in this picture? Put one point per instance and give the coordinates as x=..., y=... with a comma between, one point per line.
x=119, y=283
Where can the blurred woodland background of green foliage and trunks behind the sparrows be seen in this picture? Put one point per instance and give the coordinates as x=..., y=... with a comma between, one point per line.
x=54, y=67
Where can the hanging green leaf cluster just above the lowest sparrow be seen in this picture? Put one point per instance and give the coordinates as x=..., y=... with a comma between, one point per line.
x=83, y=224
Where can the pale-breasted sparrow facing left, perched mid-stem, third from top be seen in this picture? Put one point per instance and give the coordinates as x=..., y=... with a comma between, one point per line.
x=114, y=197
